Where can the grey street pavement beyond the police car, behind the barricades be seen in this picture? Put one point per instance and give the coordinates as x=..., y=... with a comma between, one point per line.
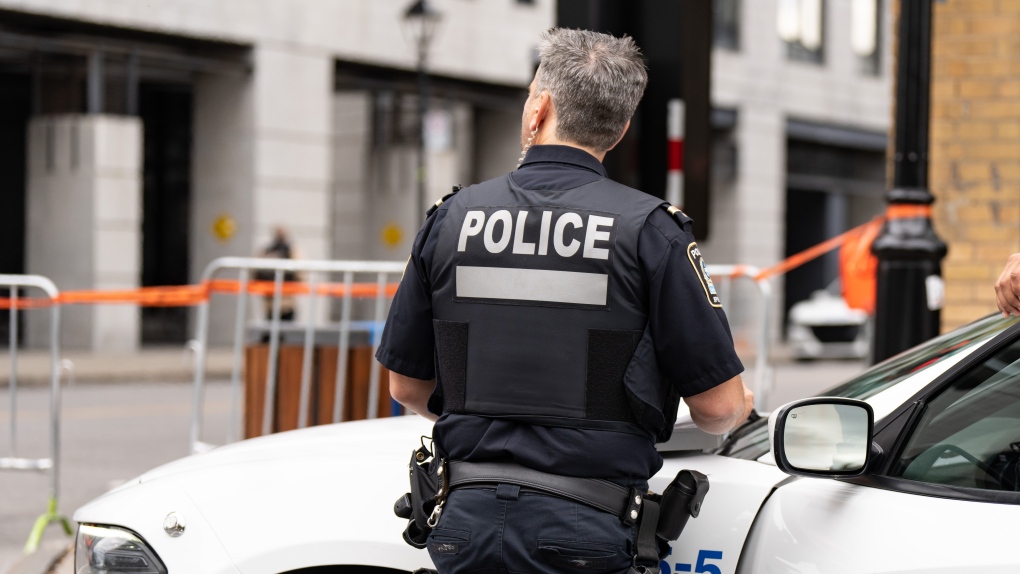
x=113, y=433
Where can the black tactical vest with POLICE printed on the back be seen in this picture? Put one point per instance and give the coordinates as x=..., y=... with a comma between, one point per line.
x=541, y=309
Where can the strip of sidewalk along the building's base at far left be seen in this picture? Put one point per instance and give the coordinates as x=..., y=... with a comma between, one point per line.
x=166, y=364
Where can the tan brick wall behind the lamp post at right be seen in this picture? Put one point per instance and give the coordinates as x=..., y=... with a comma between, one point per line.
x=976, y=148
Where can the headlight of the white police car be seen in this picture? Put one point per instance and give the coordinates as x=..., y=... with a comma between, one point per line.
x=109, y=550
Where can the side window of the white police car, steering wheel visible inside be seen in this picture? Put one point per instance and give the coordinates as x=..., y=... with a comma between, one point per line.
x=970, y=435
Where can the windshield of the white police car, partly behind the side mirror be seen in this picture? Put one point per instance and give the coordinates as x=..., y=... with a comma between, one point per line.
x=751, y=441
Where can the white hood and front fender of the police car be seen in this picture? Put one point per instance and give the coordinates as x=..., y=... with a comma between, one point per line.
x=325, y=496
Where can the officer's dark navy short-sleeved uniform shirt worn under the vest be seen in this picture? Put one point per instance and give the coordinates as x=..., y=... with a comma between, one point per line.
x=692, y=338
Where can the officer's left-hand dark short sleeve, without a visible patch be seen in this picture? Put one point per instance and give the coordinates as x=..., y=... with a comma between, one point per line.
x=409, y=342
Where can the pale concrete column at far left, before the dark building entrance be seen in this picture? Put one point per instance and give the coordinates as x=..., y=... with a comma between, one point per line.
x=85, y=215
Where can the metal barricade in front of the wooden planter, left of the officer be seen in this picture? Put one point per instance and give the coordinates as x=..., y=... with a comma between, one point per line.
x=316, y=271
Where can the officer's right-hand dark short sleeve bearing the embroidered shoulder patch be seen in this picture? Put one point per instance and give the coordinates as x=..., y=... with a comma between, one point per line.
x=693, y=343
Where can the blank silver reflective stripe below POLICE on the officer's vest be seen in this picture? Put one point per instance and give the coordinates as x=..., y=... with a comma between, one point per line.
x=533, y=285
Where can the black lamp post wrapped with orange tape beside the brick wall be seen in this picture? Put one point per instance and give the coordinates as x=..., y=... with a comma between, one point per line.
x=909, y=252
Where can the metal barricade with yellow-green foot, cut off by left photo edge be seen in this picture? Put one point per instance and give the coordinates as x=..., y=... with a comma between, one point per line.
x=53, y=463
